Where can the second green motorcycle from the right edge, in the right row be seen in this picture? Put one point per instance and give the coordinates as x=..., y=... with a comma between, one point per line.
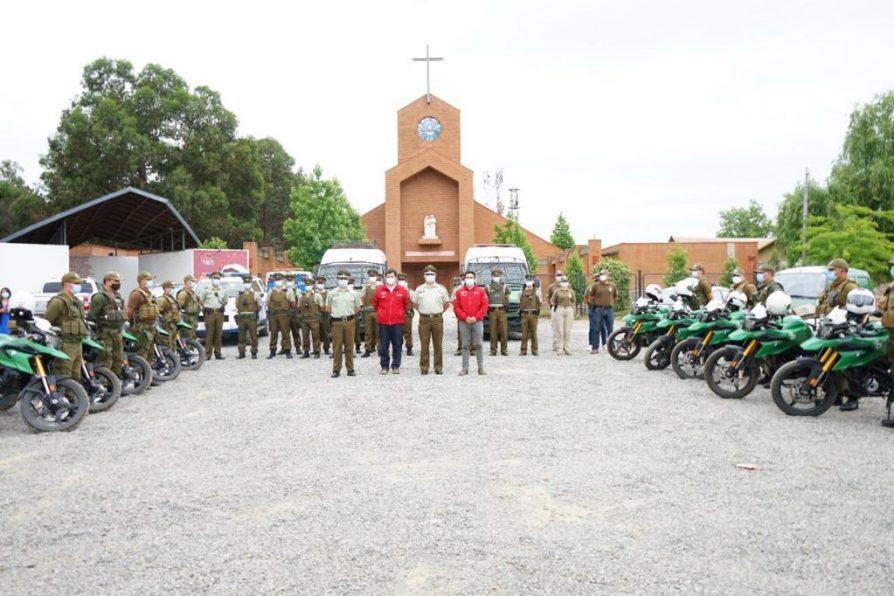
x=765, y=344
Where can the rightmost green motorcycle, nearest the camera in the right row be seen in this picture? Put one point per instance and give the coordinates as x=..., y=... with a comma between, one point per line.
x=848, y=358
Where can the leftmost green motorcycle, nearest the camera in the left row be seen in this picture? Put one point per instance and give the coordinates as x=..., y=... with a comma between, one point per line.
x=48, y=403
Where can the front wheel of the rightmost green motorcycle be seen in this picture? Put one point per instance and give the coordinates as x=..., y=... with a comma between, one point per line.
x=793, y=393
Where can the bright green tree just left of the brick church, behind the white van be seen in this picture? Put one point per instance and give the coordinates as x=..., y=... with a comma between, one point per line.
x=322, y=216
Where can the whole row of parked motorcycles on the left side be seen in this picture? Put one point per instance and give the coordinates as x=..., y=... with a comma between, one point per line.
x=51, y=403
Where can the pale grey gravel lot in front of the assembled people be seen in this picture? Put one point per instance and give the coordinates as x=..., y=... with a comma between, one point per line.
x=556, y=474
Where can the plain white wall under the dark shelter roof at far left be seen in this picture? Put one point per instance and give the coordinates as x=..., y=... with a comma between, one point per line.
x=25, y=267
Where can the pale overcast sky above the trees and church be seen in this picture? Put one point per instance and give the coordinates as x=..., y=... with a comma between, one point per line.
x=639, y=120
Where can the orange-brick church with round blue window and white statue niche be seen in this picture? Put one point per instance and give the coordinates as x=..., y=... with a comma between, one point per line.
x=430, y=180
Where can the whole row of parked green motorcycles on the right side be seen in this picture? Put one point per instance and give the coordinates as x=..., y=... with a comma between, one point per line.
x=809, y=364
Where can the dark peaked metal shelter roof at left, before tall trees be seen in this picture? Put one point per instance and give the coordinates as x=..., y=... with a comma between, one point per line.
x=128, y=218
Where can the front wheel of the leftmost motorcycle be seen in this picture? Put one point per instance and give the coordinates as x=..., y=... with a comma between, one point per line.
x=61, y=410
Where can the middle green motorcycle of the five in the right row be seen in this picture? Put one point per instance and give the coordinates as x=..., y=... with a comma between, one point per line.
x=698, y=341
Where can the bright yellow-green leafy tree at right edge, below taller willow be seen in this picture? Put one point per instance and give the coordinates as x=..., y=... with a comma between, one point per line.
x=852, y=233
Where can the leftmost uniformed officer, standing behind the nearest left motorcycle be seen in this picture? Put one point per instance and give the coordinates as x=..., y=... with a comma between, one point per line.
x=66, y=311
